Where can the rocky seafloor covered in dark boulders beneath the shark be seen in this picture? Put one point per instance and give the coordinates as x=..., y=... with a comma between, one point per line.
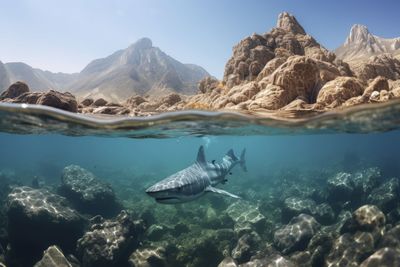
x=293, y=218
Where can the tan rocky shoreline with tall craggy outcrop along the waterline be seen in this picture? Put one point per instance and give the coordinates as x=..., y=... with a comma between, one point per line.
x=284, y=69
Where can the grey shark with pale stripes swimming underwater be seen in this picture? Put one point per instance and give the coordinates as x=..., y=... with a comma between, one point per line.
x=197, y=179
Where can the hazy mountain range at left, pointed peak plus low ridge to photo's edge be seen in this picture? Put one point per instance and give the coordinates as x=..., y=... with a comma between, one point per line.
x=139, y=69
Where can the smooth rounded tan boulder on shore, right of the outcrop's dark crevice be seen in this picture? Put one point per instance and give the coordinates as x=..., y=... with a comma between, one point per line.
x=336, y=92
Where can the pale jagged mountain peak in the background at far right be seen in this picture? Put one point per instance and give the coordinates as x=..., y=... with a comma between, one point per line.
x=361, y=44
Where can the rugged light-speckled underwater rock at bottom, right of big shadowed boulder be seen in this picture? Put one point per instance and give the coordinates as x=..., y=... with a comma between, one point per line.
x=109, y=242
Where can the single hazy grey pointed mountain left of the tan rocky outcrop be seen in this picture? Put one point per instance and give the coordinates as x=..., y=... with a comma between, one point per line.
x=139, y=69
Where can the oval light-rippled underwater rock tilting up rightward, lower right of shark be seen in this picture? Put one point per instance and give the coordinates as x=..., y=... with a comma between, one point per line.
x=296, y=235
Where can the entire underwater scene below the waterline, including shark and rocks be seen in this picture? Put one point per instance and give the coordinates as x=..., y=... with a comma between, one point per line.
x=296, y=197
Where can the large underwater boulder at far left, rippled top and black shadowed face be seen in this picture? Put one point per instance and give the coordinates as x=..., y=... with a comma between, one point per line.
x=38, y=219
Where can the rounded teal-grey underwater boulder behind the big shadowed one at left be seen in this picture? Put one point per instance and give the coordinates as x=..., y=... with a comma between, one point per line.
x=87, y=193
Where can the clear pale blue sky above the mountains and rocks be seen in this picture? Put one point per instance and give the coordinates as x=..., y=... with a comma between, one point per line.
x=65, y=35
